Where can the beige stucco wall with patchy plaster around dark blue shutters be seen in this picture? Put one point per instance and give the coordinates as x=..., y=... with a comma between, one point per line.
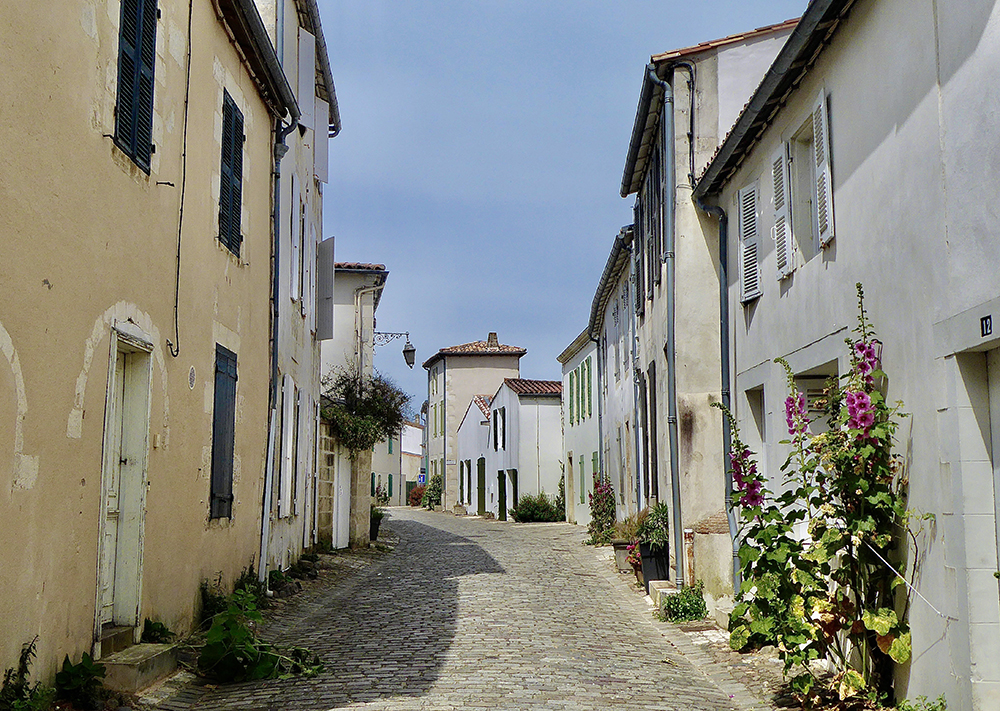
x=92, y=241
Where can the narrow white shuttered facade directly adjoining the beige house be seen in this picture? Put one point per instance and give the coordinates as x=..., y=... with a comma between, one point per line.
x=291, y=521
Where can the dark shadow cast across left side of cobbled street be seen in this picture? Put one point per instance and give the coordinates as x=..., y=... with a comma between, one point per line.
x=383, y=633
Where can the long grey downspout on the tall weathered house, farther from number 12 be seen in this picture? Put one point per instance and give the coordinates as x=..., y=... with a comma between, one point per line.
x=667, y=132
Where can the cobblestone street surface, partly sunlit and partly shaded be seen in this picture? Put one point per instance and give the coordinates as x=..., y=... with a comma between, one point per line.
x=469, y=614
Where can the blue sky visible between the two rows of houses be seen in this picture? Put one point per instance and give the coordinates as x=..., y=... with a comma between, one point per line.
x=482, y=154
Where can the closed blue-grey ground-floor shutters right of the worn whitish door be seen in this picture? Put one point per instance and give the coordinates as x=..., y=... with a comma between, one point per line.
x=223, y=434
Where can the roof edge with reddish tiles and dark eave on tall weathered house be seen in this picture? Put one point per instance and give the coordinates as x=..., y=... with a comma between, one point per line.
x=651, y=98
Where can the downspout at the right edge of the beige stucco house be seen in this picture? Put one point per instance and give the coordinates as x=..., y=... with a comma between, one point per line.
x=280, y=149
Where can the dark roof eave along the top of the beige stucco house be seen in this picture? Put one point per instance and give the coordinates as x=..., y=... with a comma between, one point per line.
x=248, y=32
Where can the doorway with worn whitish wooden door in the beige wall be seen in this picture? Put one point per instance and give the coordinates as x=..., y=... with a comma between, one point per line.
x=124, y=474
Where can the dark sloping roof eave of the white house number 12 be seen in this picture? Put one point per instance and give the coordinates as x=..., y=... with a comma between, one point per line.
x=813, y=32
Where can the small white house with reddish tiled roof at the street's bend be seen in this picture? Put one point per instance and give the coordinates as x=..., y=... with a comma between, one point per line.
x=522, y=455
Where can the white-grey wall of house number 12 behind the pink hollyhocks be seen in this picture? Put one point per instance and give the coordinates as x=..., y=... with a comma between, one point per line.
x=909, y=94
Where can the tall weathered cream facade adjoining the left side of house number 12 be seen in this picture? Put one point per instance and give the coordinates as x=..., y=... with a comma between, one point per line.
x=678, y=435
